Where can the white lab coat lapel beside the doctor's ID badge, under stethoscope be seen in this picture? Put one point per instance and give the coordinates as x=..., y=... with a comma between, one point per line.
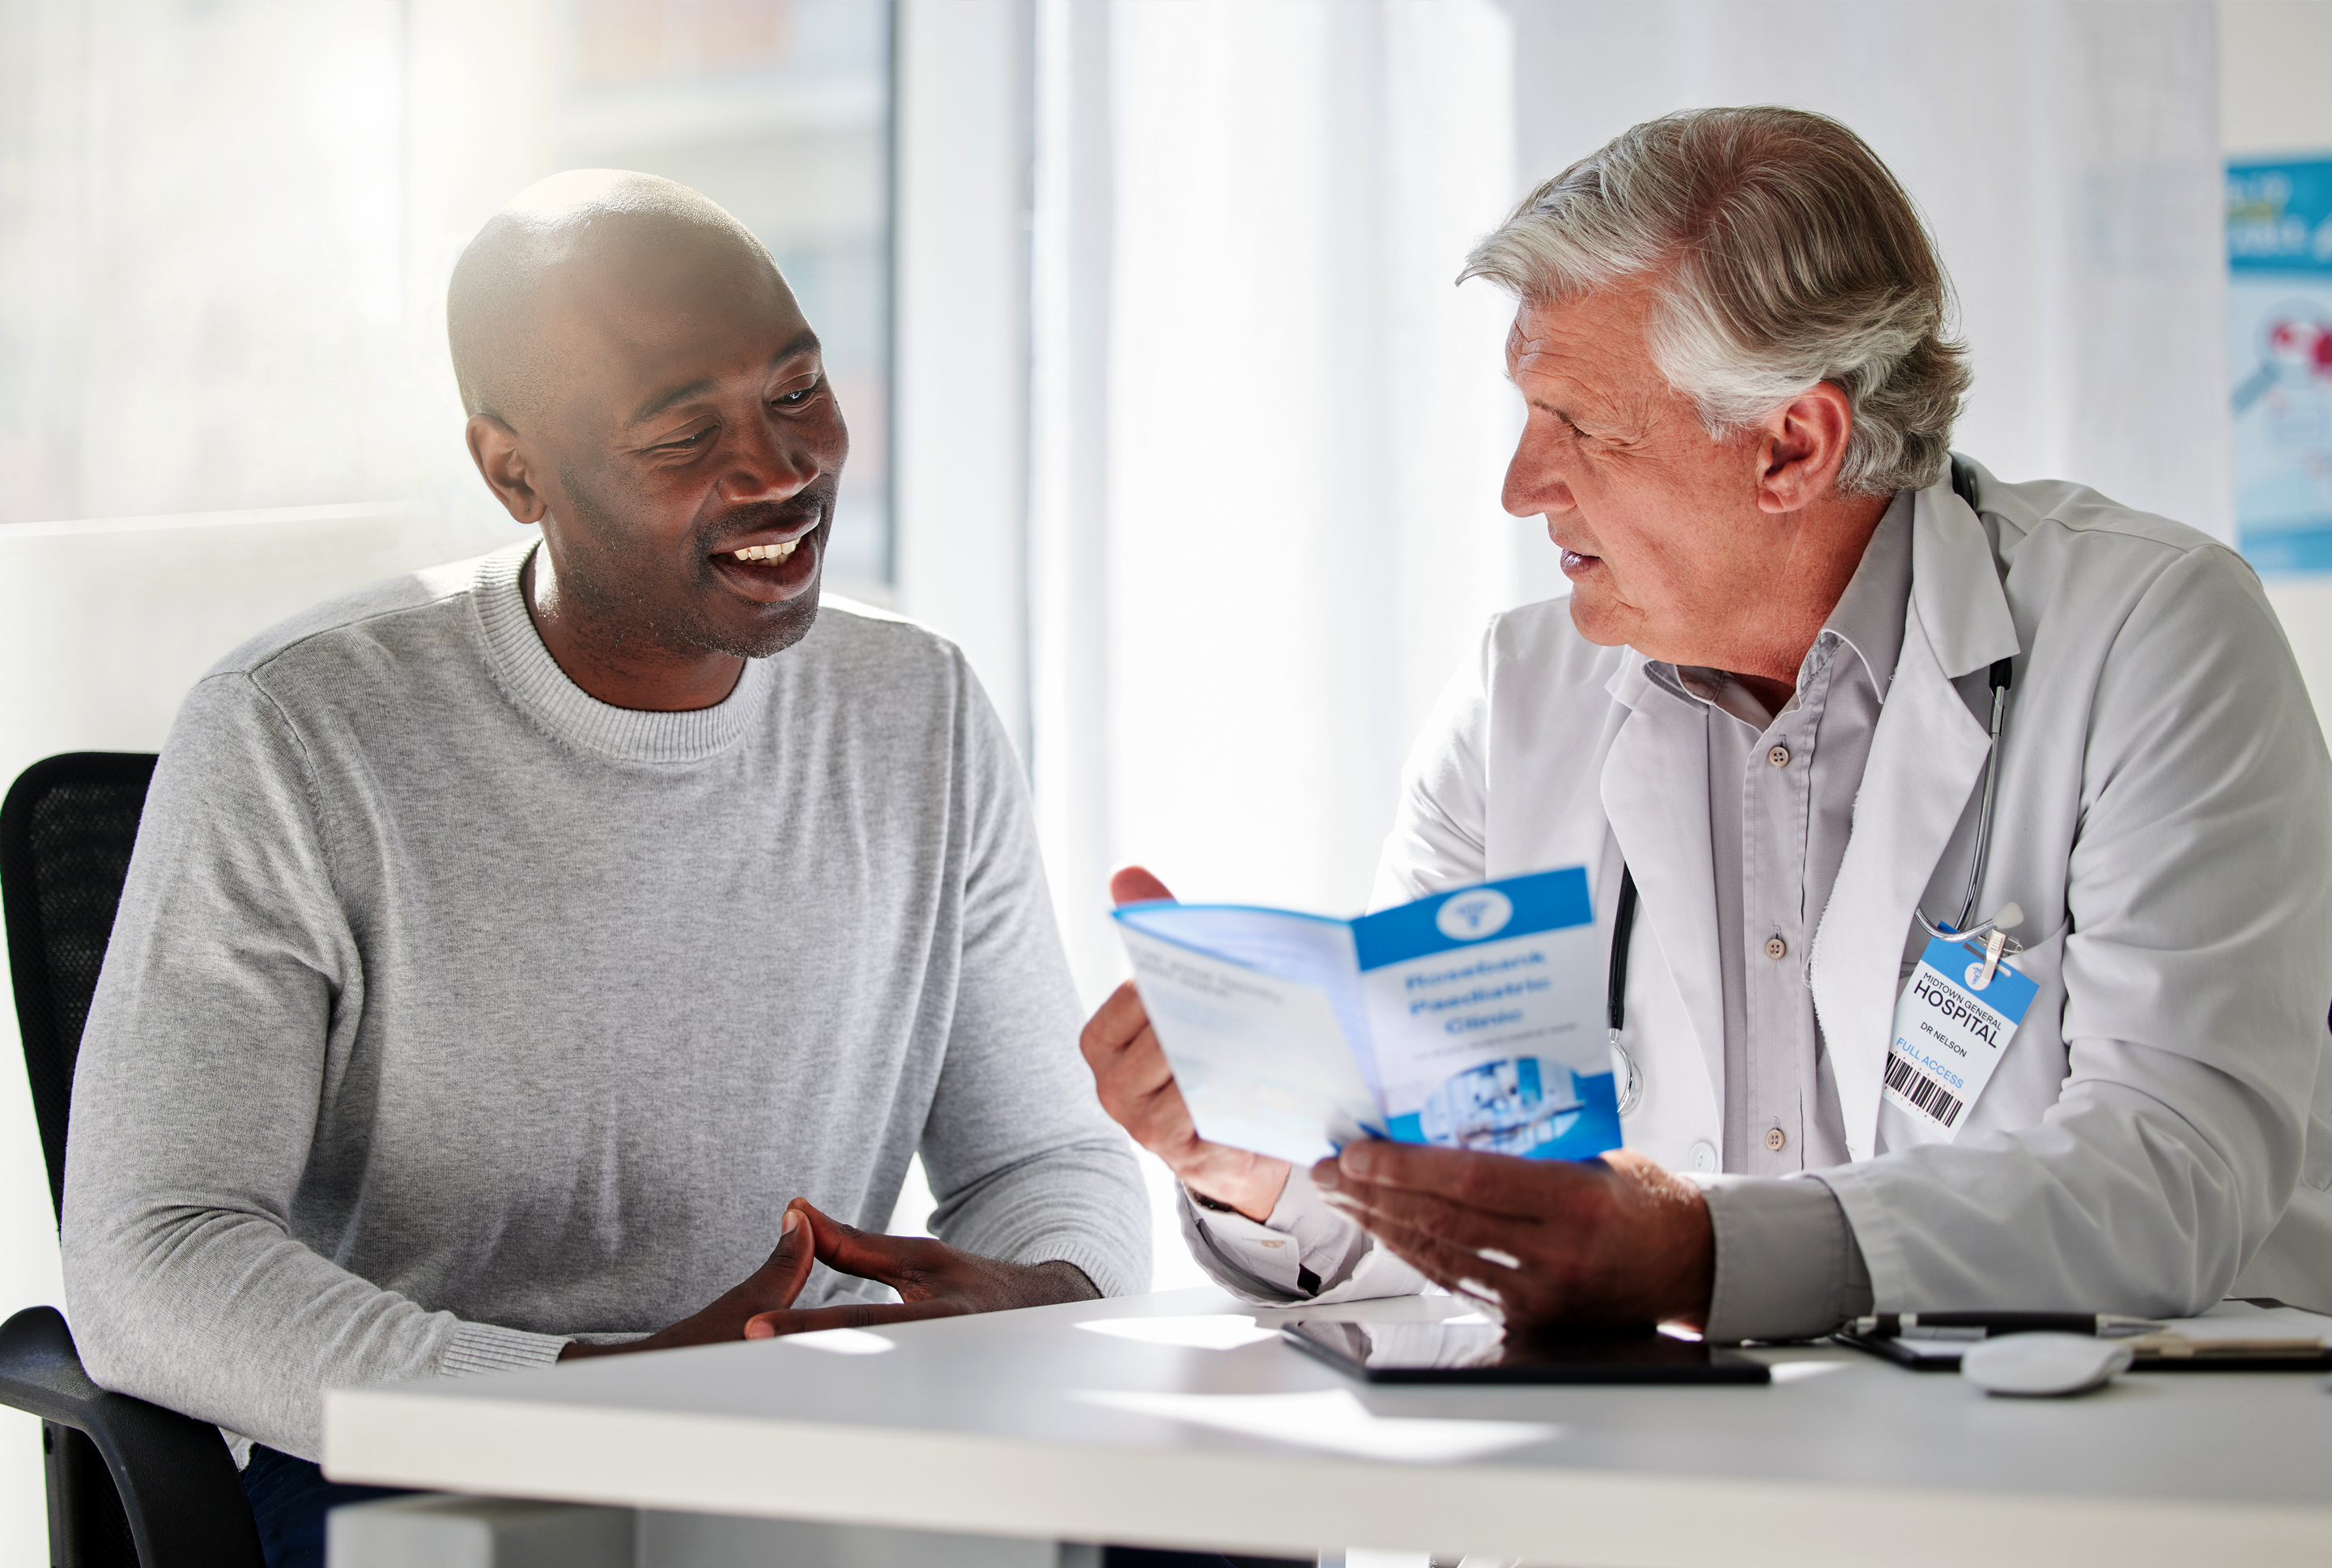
x=1927, y=758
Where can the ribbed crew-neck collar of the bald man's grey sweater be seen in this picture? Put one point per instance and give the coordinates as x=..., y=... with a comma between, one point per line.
x=535, y=681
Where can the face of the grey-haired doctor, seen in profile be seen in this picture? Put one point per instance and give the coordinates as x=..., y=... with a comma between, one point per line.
x=1659, y=523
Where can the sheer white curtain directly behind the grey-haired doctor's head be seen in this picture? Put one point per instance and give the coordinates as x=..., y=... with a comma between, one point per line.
x=2065, y=153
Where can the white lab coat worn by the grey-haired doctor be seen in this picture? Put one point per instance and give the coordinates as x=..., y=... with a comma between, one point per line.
x=2161, y=1129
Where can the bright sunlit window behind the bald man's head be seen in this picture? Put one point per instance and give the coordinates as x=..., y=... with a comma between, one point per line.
x=227, y=229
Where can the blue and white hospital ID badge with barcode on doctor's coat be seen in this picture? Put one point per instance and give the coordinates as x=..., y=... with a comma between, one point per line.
x=1951, y=1033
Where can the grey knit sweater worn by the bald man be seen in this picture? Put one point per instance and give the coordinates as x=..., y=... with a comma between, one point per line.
x=454, y=1012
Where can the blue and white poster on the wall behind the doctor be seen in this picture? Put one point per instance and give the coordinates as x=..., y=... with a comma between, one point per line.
x=2280, y=323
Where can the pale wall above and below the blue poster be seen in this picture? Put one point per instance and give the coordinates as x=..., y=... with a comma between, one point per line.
x=2273, y=59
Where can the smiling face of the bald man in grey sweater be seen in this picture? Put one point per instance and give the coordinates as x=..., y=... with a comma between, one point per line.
x=696, y=448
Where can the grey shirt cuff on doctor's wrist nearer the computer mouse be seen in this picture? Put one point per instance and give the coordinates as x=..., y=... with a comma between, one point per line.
x=1787, y=1264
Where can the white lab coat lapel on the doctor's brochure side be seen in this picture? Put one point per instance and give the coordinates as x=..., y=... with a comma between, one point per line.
x=1657, y=798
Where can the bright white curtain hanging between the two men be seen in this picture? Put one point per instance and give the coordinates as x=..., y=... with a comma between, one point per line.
x=1267, y=432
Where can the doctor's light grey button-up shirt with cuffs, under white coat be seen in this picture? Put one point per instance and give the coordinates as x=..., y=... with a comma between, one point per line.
x=1780, y=810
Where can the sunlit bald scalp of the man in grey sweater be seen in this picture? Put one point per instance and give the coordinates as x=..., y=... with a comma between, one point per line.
x=580, y=248
